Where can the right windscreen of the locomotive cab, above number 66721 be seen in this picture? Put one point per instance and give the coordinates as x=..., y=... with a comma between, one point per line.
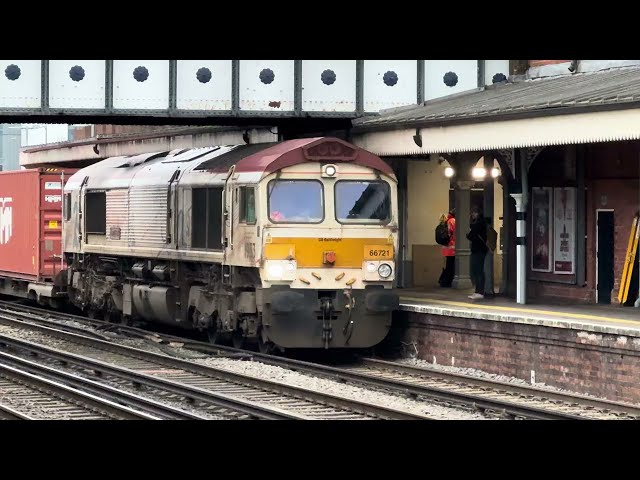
x=363, y=202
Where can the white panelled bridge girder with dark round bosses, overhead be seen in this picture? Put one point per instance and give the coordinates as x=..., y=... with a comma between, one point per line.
x=68, y=91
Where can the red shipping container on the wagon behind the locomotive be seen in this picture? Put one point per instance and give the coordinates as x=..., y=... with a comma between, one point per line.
x=31, y=223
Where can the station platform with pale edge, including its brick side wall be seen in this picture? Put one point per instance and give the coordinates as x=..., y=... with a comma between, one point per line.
x=589, y=349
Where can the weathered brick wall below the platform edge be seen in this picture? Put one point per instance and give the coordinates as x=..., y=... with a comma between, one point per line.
x=604, y=365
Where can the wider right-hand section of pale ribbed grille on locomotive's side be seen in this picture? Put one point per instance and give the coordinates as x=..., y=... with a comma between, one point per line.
x=147, y=216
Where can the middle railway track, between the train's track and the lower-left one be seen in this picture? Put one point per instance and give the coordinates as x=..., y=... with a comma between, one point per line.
x=203, y=387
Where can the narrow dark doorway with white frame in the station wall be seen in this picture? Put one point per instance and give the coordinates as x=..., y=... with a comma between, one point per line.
x=604, y=255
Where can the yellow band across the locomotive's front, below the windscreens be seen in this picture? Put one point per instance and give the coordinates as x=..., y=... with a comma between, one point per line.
x=350, y=252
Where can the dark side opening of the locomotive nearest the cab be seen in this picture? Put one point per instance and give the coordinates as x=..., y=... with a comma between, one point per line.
x=206, y=218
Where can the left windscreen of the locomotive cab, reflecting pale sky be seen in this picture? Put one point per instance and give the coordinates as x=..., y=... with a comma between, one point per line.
x=295, y=201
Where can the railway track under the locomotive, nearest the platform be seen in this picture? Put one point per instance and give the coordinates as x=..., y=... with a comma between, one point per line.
x=493, y=397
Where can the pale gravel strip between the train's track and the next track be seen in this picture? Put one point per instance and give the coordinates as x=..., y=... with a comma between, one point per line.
x=275, y=373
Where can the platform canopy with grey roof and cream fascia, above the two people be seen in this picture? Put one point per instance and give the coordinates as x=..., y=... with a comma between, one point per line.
x=570, y=109
